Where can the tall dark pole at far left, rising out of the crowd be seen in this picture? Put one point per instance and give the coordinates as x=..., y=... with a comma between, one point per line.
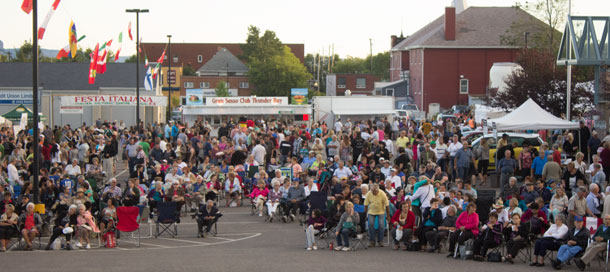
x=35, y=173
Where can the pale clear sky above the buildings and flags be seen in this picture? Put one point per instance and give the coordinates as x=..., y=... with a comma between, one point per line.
x=346, y=24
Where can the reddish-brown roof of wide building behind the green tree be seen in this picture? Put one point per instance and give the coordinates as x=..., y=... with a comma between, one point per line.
x=188, y=53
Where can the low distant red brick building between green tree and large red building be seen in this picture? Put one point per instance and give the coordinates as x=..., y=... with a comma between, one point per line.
x=358, y=84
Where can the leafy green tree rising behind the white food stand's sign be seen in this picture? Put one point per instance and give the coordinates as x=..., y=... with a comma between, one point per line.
x=273, y=69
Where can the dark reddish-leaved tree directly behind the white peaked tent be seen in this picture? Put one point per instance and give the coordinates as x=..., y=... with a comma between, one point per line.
x=544, y=82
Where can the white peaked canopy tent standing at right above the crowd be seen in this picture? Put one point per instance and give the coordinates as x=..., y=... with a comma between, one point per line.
x=531, y=116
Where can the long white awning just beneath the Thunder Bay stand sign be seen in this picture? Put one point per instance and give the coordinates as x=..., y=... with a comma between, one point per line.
x=277, y=110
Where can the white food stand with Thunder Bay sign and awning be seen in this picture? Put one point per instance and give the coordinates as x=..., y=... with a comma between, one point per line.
x=217, y=110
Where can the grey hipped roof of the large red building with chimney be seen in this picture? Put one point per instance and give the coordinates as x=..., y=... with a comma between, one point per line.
x=475, y=27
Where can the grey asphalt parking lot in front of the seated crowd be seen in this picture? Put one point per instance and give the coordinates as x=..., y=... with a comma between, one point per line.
x=244, y=243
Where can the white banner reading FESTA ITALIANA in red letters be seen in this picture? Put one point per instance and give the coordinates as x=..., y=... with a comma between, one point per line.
x=113, y=100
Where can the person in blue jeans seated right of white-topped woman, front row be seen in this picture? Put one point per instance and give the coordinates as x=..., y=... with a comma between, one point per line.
x=576, y=241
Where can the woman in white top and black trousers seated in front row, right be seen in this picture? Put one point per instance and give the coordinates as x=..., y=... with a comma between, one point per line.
x=550, y=240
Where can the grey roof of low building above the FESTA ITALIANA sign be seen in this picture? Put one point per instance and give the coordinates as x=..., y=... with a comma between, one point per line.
x=70, y=76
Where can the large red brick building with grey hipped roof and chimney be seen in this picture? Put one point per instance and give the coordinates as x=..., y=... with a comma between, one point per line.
x=448, y=60
